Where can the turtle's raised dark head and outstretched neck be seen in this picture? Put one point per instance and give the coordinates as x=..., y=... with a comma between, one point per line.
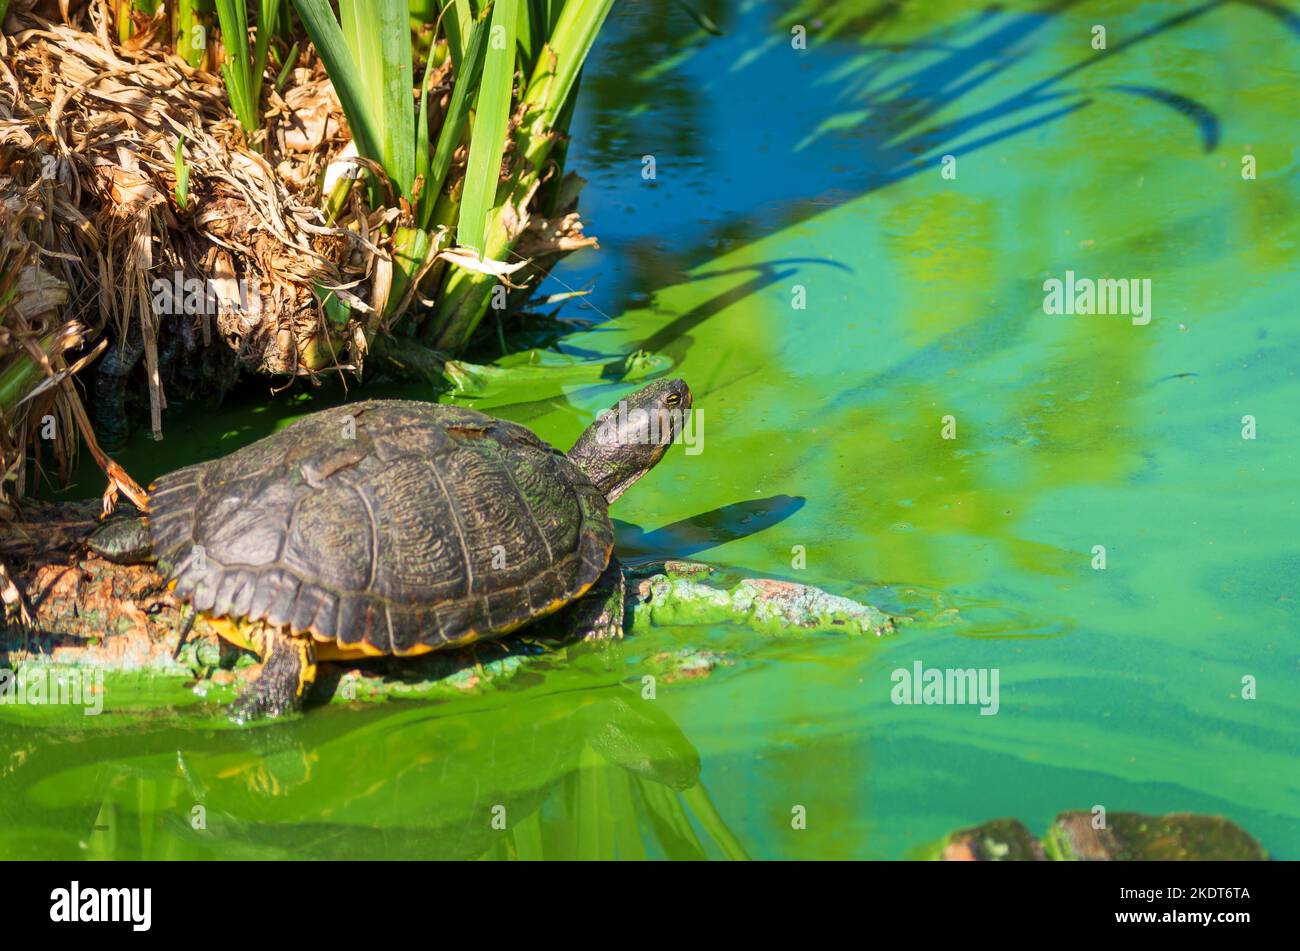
x=629, y=438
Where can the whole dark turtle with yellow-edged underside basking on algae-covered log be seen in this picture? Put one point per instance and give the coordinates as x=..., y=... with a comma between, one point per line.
x=397, y=528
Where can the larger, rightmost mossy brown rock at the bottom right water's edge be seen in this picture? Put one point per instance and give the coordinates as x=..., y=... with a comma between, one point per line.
x=1134, y=837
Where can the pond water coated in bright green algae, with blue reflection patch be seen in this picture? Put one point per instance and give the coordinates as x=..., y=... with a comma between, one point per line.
x=844, y=250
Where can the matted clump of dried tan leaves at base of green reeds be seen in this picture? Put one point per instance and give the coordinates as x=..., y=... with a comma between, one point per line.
x=114, y=118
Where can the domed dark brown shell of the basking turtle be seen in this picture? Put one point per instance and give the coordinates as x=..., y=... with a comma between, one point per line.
x=388, y=527
